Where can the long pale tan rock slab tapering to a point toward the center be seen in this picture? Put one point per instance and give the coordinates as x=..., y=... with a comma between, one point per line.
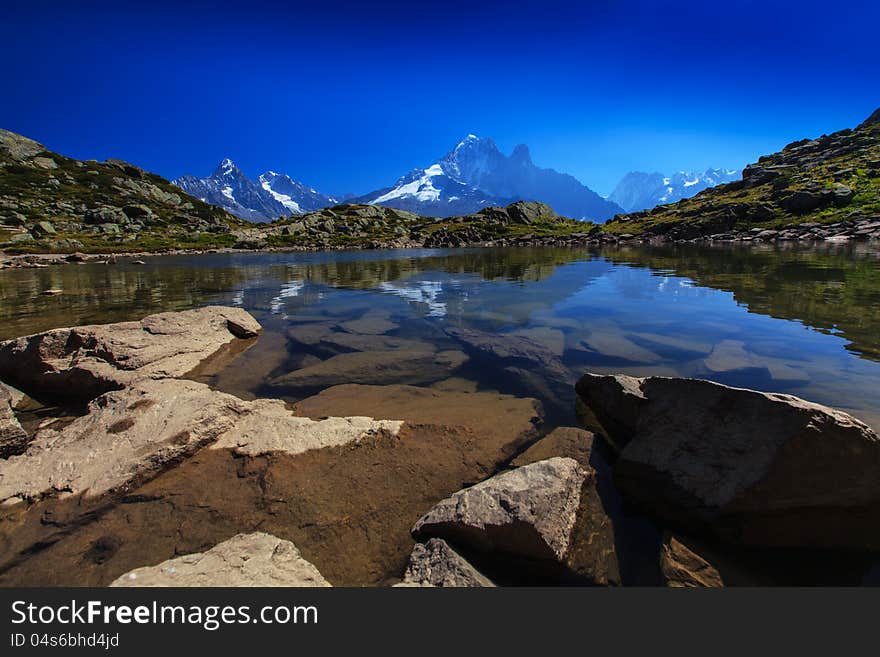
x=128, y=436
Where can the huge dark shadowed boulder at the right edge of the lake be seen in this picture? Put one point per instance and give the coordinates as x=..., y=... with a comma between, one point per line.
x=753, y=467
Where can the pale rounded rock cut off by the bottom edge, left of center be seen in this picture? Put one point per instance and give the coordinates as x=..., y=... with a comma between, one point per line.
x=257, y=559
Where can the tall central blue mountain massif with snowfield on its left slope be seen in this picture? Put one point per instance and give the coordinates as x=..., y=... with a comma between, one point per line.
x=475, y=174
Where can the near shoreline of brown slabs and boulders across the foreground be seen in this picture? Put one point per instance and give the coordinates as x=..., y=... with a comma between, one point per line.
x=145, y=477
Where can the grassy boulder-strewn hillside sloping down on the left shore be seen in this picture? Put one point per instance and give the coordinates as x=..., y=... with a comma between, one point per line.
x=49, y=202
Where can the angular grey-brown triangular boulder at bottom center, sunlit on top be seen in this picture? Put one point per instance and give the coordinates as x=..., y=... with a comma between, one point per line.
x=528, y=512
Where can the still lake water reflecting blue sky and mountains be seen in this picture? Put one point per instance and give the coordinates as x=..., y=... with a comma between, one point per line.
x=799, y=320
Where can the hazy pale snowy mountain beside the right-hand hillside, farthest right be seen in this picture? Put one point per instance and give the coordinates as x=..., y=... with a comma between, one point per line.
x=643, y=191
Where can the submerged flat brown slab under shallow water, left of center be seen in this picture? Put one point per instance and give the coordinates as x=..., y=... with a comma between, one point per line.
x=375, y=367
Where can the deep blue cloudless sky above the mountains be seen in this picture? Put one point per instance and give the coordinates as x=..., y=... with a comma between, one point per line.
x=347, y=96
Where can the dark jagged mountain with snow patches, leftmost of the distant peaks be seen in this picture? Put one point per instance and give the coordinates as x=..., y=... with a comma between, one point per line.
x=274, y=195
